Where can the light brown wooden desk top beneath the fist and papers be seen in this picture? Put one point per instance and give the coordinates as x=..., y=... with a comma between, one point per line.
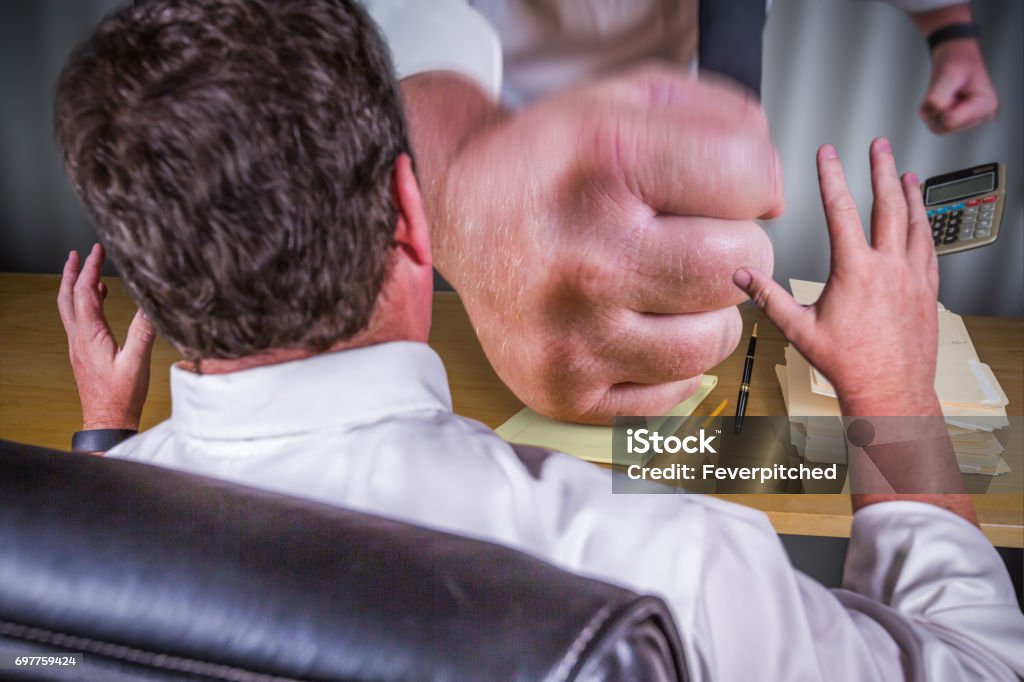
x=39, y=405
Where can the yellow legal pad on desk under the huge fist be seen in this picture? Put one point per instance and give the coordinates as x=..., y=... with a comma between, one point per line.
x=588, y=443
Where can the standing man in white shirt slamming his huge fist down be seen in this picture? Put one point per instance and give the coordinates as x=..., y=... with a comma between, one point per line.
x=589, y=200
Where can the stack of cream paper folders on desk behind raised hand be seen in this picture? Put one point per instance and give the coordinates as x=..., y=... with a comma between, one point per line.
x=973, y=402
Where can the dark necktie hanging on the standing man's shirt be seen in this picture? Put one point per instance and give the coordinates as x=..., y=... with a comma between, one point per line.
x=731, y=40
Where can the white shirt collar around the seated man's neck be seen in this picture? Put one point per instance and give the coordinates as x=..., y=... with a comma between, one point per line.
x=332, y=390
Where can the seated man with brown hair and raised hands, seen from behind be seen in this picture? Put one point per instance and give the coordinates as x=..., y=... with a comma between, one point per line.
x=246, y=164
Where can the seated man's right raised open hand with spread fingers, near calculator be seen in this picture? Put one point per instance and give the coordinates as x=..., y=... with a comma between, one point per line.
x=874, y=333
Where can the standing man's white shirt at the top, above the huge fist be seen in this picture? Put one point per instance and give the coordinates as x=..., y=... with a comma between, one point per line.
x=519, y=51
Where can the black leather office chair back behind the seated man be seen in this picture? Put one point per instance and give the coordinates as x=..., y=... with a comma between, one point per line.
x=157, y=575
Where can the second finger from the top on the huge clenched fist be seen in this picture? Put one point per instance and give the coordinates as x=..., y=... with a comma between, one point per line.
x=678, y=266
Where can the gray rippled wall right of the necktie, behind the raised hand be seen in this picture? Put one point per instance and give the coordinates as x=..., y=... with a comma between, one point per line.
x=844, y=72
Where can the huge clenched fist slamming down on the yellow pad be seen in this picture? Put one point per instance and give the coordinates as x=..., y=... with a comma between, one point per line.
x=593, y=237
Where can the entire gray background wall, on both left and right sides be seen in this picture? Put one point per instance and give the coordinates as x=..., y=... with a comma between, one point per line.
x=836, y=71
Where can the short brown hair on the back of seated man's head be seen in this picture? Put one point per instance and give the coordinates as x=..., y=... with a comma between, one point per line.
x=236, y=157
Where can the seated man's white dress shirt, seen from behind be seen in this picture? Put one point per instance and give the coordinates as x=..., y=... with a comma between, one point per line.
x=926, y=595
